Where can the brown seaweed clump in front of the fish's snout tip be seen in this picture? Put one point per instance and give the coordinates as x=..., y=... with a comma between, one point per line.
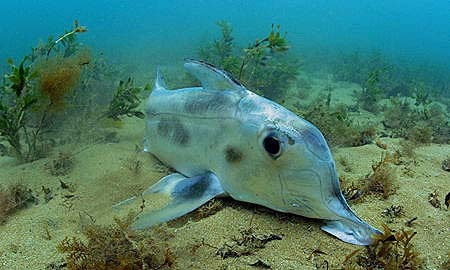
x=388, y=251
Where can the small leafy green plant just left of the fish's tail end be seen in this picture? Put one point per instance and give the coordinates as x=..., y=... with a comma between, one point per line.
x=125, y=101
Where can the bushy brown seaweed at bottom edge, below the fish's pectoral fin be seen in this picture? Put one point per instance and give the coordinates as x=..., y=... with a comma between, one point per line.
x=117, y=247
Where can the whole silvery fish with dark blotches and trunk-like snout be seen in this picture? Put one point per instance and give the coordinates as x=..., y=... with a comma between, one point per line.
x=223, y=139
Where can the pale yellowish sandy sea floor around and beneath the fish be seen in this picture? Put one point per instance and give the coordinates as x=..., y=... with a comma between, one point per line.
x=106, y=173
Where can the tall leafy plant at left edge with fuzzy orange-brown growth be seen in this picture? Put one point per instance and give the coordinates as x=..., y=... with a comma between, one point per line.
x=29, y=92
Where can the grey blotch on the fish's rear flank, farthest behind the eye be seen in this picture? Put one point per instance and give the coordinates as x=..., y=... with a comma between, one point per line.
x=172, y=129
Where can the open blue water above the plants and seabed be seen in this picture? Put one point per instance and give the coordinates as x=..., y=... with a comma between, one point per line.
x=146, y=33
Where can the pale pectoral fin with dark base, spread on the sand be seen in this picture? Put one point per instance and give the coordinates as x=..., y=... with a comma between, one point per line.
x=171, y=197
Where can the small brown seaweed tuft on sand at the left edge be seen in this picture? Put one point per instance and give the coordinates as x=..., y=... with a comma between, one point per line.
x=14, y=198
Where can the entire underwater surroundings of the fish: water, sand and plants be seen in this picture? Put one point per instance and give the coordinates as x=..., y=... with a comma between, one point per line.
x=373, y=76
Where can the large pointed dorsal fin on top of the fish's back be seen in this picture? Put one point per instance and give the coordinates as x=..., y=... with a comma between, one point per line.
x=211, y=77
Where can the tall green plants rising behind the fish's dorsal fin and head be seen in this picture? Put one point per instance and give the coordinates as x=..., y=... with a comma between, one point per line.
x=263, y=66
